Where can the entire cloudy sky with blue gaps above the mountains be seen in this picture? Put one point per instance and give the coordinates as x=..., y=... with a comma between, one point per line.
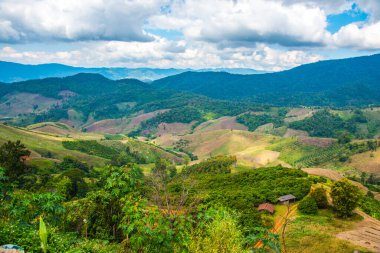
x=261, y=34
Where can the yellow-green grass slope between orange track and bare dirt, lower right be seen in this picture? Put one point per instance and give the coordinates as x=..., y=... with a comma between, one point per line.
x=309, y=234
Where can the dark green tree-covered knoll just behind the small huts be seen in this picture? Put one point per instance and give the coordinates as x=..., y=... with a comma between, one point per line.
x=243, y=191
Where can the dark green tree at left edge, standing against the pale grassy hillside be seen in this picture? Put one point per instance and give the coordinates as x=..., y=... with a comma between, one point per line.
x=12, y=159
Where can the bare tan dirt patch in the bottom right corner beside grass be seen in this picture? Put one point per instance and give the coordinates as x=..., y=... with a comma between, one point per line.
x=366, y=233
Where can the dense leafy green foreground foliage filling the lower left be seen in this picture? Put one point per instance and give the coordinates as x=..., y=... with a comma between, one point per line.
x=78, y=208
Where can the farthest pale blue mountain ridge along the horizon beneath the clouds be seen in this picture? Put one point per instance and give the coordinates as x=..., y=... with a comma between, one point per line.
x=14, y=72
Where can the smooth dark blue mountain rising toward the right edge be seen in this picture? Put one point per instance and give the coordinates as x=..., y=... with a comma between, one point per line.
x=353, y=81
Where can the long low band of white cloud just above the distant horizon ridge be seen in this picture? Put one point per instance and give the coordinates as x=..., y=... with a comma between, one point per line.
x=156, y=54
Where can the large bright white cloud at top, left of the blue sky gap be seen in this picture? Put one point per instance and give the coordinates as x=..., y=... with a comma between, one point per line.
x=246, y=21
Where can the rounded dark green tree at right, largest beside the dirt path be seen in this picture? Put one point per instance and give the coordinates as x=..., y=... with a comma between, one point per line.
x=346, y=197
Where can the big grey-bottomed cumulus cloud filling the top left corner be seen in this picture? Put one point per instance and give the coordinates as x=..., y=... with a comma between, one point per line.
x=71, y=20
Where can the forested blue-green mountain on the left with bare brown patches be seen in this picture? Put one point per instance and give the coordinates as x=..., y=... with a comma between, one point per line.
x=83, y=99
